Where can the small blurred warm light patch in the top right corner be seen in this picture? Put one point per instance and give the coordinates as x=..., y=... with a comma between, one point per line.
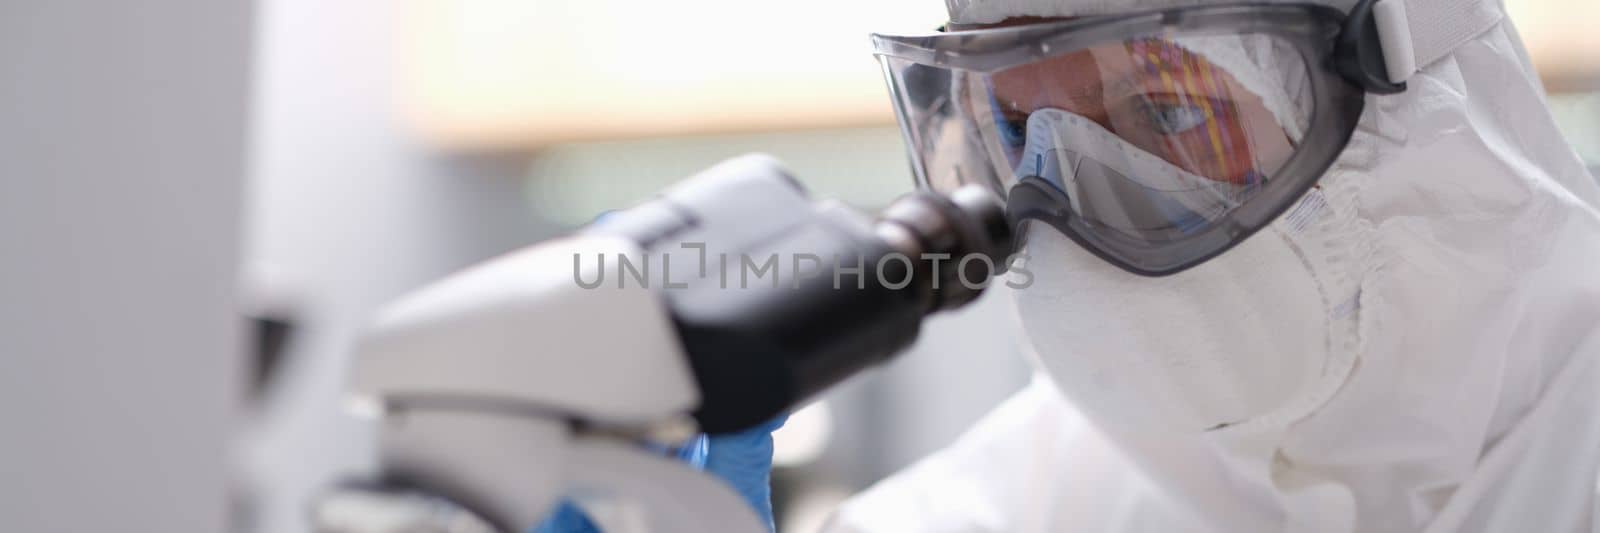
x=1562, y=41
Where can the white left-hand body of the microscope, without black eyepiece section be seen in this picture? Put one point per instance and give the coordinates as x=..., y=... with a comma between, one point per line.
x=482, y=377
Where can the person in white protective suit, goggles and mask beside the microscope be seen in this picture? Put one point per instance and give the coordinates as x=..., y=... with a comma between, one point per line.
x=1274, y=291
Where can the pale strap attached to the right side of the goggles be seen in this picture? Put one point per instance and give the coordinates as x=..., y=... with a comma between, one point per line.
x=1418, y=33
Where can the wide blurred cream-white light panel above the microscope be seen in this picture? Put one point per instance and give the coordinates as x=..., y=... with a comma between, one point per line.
x=508, y=74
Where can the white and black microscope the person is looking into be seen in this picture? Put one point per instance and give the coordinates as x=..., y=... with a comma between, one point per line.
x=561, y=371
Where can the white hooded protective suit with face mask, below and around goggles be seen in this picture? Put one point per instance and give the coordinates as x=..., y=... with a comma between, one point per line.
x=1412, y=348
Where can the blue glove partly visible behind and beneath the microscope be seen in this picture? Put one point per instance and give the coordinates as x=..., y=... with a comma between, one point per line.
x=745, y=460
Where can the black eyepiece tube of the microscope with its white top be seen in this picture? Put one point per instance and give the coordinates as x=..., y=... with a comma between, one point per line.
x=762, y=348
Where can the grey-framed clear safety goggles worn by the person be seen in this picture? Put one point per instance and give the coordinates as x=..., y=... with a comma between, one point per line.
x=1154, y=140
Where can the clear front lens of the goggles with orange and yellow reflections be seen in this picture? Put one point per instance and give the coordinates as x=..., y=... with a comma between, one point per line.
x=1148, y=138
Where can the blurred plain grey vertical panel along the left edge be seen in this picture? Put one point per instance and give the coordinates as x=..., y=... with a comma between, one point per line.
x=122, y=132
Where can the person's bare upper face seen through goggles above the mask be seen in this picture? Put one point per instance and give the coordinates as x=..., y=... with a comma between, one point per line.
x=1156, y=95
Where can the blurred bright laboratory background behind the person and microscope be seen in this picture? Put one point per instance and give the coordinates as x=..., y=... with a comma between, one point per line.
x=375, y=146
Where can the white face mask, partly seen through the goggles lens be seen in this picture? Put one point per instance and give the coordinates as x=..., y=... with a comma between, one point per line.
x=1236, y=340
